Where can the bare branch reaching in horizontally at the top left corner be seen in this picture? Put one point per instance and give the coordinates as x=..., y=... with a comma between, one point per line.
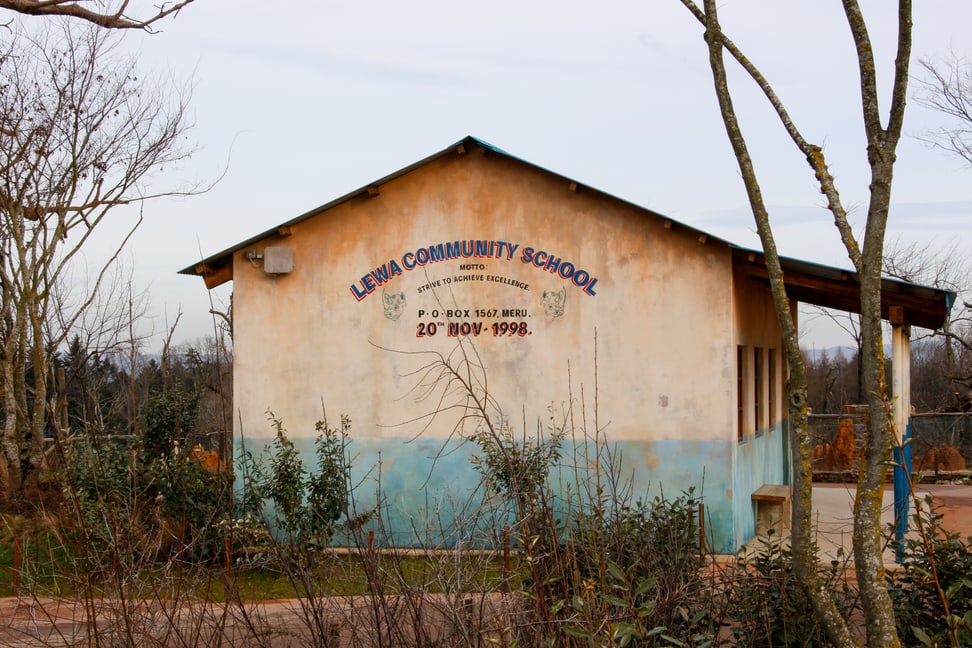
x=110, y=15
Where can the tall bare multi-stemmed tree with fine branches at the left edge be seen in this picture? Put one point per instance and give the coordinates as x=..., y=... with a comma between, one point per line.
x=80, y=135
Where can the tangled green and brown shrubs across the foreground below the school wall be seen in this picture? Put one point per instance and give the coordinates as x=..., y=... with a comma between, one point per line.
x=140, y=516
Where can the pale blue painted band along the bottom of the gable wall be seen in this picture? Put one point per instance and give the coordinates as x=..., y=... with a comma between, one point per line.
x=430, y=493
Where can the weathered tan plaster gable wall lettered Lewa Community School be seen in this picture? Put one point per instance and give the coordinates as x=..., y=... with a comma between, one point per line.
x=661, y=372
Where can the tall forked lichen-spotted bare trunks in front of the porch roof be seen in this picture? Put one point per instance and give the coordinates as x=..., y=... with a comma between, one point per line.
x=867, y=258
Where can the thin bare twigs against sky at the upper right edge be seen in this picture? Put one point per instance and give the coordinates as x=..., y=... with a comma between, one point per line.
x=947, y=88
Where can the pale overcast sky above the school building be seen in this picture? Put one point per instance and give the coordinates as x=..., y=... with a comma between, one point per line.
x=311, y=100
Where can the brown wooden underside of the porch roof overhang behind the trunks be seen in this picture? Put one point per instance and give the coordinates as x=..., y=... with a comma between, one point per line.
x=902, y=302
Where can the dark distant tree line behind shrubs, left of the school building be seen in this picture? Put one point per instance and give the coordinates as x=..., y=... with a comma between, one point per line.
x=175, y=401
